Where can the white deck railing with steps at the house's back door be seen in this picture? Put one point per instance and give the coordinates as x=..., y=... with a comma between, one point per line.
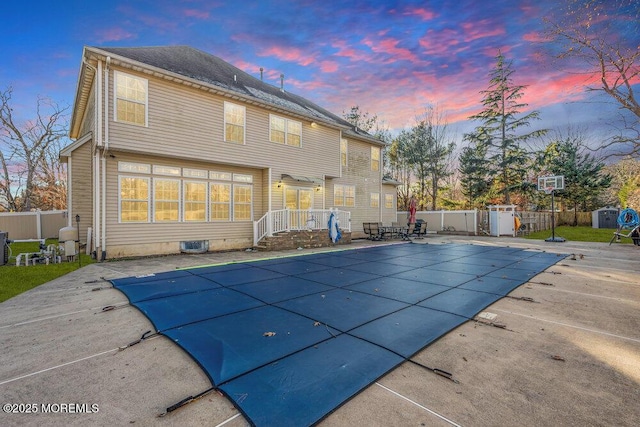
x=297, y=219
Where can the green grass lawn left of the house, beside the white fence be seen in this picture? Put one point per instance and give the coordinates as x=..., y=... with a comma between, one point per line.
x=15, y=280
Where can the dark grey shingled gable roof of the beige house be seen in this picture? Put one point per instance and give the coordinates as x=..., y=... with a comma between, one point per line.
x=196, y=65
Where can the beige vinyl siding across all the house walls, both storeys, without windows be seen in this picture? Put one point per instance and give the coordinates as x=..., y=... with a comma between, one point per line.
x=186, y=129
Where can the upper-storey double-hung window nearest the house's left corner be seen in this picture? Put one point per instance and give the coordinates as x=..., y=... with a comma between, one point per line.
x=131, y=99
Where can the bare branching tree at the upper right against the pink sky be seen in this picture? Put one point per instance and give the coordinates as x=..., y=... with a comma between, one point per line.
x=602, y=34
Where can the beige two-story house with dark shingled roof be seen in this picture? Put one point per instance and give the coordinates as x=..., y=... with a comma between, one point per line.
x=173, y=146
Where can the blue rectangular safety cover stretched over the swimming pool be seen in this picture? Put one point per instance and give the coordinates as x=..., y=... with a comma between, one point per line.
x=290, y=339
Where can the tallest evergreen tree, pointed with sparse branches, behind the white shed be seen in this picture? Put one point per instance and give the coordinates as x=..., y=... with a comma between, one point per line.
x=501, y=128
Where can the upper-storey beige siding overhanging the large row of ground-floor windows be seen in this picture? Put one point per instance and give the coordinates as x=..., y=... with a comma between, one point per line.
x=189, y=123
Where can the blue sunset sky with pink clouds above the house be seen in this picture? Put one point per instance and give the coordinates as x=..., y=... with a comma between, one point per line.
x=391, y=58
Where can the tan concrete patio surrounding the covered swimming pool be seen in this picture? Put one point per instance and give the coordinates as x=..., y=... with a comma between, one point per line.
x=565, y=350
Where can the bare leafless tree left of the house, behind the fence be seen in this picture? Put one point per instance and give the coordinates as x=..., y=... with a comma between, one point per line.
x=28, y=152
